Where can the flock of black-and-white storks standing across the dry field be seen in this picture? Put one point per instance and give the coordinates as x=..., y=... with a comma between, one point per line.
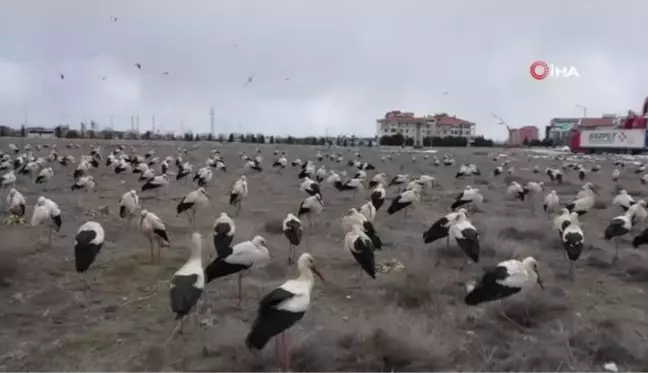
x=287, y=304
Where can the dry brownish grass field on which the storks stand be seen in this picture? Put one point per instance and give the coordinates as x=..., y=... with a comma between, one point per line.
x=406, y=321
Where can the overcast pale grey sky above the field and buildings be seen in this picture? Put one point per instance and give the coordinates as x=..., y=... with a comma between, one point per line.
x=316, y=67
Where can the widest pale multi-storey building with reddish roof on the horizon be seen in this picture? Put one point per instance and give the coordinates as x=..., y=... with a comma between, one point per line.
x=418, y=128
